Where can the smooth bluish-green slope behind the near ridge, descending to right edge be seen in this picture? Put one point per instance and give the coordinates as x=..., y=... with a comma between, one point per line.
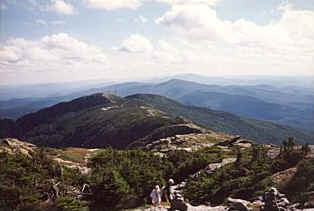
x=263, y=131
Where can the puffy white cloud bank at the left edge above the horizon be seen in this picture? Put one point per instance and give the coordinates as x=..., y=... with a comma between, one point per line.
x=56, y=52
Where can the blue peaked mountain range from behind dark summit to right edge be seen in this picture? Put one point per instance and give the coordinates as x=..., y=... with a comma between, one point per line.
x=287, y=107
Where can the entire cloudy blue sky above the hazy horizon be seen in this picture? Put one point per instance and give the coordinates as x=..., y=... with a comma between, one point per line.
x=44, y=41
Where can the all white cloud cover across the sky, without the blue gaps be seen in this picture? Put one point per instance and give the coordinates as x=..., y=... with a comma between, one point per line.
x=193, y=39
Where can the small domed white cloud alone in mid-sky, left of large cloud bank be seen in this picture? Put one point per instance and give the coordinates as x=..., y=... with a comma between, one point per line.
x=136, y=44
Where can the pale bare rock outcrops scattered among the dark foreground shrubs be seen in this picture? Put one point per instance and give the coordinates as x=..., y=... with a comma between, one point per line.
x=79, y=158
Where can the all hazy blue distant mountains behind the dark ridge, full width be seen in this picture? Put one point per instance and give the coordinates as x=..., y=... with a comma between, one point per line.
x=288, y=105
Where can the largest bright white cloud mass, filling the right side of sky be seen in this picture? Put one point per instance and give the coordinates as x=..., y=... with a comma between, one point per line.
x=243, y=46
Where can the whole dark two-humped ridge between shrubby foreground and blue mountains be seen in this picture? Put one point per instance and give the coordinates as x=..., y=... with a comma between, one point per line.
x=101, y=120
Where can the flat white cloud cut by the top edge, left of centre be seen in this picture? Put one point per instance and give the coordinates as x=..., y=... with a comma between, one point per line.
x=113, y=4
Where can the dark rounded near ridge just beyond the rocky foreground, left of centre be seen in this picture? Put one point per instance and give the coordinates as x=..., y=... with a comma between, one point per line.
x=100, y=120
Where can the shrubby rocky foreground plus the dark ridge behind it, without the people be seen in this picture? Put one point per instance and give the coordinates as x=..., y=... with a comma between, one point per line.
x=103, y=152
